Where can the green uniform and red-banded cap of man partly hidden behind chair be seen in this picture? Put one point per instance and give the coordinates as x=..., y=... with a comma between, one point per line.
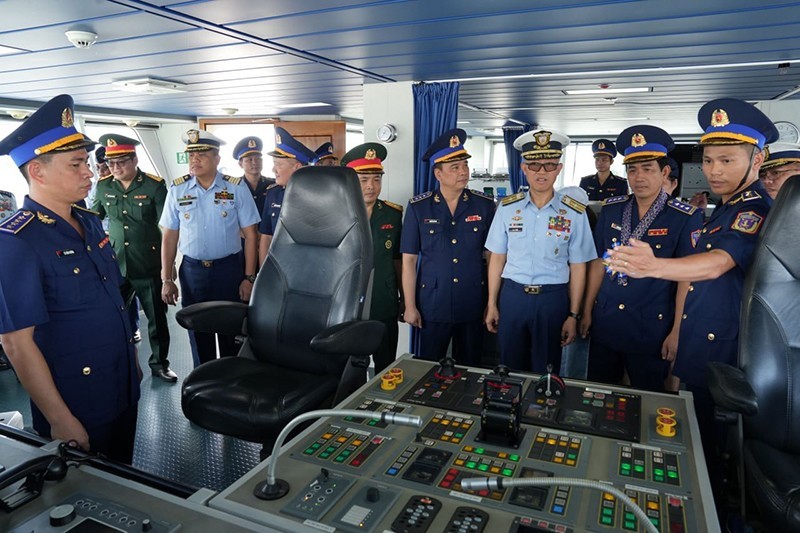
x=385, y=222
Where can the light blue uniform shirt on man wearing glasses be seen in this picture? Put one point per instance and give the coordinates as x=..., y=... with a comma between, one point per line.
x=538, y=243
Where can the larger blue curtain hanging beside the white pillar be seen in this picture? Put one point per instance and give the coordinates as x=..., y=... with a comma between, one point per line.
x=435, y=112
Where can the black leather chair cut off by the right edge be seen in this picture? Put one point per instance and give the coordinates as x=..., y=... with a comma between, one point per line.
x=765, y=389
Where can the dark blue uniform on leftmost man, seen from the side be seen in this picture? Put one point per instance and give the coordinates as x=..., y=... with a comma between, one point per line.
x=68, y=288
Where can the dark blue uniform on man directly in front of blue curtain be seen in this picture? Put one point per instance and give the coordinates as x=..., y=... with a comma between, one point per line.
x=451, y=287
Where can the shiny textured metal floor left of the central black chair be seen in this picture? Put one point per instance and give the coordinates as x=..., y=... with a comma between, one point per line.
x=167, y=444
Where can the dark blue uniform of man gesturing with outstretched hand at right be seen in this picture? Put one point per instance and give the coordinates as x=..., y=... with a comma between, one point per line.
x=710, y=327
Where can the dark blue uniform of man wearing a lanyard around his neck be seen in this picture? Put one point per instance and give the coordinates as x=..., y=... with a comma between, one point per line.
x=644, y=308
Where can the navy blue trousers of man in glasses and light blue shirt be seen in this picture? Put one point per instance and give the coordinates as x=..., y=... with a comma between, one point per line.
x=529, y=331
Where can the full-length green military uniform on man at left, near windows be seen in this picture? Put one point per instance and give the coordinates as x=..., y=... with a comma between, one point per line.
x=133, y=215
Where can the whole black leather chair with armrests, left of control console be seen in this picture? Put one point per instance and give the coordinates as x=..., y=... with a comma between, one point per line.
x=305, y=347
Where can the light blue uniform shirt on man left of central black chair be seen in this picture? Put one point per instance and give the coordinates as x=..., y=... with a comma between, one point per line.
x=209, y=220
